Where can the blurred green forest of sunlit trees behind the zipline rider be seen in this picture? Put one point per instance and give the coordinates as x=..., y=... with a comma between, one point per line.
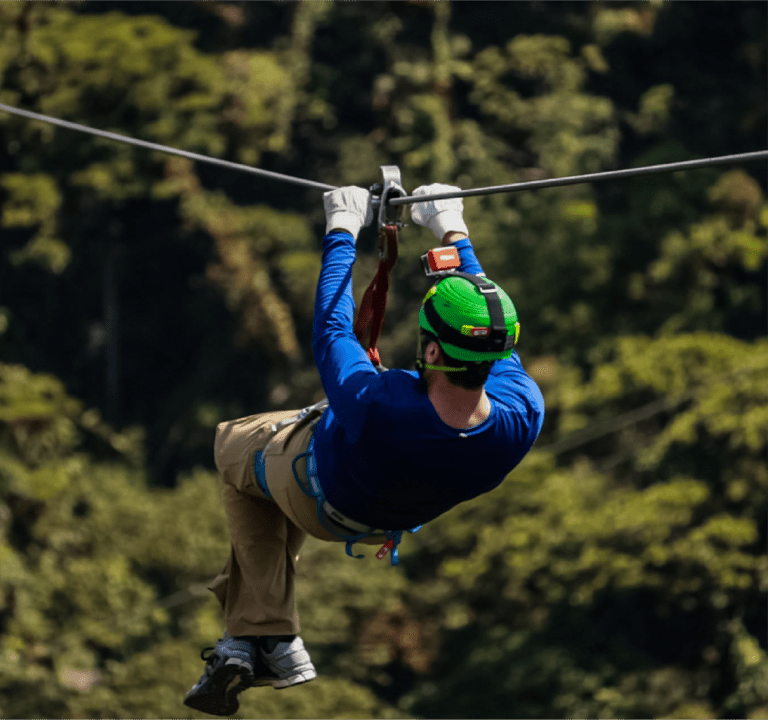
x=619, y=571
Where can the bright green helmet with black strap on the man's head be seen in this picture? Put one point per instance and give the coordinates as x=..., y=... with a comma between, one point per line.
x=472, y=317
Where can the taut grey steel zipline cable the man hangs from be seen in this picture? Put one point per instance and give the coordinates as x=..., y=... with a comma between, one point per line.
x=409, y=199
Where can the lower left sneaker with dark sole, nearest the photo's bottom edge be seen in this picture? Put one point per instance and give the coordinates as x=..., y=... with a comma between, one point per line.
x=229, y=670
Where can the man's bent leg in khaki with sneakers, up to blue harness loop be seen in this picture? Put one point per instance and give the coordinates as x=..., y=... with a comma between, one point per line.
x=256, y=587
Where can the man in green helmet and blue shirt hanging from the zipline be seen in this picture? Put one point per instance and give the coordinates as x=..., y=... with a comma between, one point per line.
x=391, y=450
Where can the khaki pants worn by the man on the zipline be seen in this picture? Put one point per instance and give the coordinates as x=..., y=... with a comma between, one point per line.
x=255, y=588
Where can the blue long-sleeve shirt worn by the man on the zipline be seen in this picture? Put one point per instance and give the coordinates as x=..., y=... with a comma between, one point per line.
x=384, y=456
